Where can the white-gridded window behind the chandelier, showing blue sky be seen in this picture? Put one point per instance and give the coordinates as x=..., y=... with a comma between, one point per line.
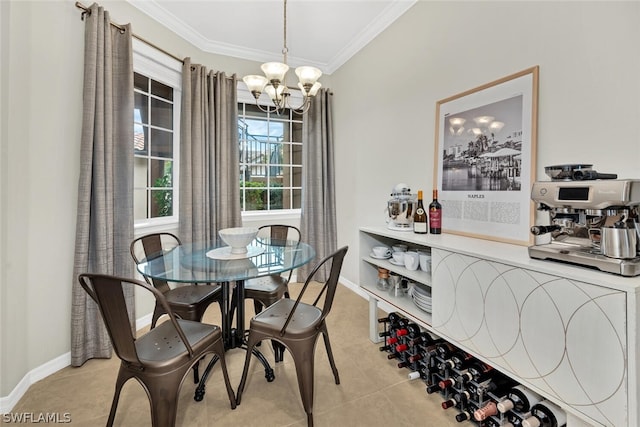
x=270, y=159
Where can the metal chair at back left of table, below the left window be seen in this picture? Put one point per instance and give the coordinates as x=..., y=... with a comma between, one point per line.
x=188, y=301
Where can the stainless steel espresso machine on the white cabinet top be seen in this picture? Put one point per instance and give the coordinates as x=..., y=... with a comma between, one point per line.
x=593, y=221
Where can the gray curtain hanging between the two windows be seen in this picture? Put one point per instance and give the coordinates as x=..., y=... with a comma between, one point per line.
x=209, y=158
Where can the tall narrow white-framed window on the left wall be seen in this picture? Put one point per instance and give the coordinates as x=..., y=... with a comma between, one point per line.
x=156, y=137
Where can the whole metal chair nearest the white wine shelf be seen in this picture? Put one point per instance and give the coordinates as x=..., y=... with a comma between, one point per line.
x=296, y=325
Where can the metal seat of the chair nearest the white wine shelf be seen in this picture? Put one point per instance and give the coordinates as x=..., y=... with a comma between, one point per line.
x=303, y=322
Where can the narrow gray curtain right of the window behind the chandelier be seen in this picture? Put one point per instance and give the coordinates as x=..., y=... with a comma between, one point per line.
x=318, y=221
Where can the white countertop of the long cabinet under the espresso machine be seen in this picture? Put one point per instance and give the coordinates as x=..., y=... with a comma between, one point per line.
x=510, y=254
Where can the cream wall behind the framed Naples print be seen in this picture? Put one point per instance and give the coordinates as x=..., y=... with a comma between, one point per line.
x=385, y=96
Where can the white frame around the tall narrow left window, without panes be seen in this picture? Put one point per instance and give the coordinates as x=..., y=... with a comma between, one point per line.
x=167, y=70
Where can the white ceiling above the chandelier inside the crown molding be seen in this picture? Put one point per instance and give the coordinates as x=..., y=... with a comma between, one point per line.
x=322, y=33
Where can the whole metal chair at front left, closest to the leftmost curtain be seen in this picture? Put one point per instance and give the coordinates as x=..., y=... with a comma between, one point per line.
x=159, y=359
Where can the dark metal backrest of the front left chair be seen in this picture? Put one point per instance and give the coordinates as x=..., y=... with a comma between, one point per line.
x=108, y=293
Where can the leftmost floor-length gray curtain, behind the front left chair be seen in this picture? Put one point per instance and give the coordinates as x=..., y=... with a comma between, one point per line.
x=104, y=226
